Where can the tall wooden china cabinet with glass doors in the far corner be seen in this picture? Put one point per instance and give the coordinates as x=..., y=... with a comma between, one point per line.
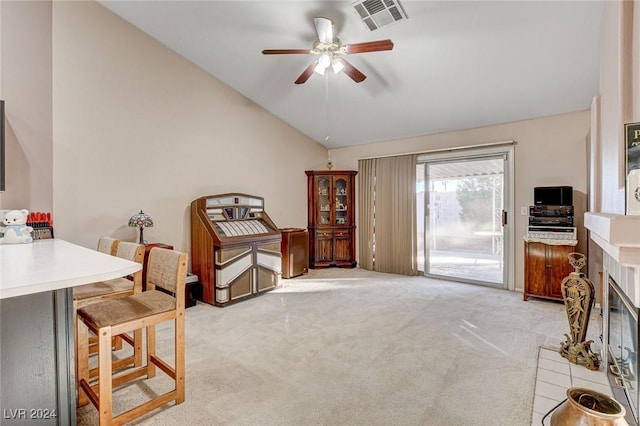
x=331, y=218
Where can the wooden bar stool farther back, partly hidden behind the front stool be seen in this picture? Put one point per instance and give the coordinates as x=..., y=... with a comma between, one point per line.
x=119, y=287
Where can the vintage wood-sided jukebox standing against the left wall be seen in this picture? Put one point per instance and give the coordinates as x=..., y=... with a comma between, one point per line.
x=235, y=247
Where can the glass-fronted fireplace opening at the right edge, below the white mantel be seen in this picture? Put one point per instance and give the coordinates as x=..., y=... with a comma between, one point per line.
x=622, y=350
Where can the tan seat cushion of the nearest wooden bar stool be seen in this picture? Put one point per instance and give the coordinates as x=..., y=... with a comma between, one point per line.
x=124, y=309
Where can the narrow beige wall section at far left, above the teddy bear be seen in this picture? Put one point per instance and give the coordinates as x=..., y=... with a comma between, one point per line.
x=25, y=85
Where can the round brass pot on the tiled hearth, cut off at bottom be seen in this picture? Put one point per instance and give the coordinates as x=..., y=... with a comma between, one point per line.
x=586, y=407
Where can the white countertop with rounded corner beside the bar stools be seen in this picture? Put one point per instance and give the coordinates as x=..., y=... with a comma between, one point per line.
x=53, y=264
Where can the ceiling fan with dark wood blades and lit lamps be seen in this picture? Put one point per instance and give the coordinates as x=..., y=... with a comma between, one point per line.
x=329, y=52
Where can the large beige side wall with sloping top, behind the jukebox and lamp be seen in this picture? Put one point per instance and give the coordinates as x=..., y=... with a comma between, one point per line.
x=138, y=127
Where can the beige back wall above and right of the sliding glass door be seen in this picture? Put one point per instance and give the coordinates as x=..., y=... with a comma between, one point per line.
x=548, y=151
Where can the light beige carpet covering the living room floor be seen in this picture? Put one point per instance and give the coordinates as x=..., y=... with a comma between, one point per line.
x=353, y=347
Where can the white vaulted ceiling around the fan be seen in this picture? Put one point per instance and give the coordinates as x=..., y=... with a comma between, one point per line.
x=455, y=64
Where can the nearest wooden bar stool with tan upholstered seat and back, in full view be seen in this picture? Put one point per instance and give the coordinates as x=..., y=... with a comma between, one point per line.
x=167, y=269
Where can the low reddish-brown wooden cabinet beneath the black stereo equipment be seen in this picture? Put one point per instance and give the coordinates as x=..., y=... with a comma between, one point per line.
x=545, y=266
